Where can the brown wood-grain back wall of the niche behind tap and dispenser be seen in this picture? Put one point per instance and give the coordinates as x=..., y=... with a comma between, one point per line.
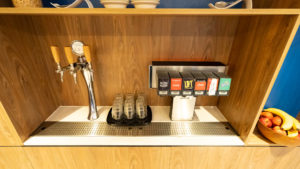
x=124, y=46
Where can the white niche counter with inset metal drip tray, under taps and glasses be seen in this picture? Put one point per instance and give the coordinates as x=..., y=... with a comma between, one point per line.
x=69, y=126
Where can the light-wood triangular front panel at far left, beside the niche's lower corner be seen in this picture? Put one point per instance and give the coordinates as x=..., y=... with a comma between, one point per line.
x=8, y=133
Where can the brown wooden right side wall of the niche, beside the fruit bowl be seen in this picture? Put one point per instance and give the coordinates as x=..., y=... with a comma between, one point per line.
x=256, y=57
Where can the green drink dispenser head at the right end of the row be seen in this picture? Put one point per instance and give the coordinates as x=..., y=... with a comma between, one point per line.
x=224, y=84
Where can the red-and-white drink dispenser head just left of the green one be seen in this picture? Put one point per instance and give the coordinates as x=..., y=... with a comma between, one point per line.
x=212, y=83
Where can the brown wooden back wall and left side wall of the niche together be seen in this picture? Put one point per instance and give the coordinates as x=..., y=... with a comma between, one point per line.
x=122, y=47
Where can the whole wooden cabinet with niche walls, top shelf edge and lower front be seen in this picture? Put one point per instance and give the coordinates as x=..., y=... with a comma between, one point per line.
x=253, y=43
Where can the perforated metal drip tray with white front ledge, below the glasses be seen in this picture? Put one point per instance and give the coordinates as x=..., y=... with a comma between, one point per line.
x=154, y=134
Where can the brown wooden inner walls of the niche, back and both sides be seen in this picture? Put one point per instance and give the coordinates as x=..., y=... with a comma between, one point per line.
x=122, y=49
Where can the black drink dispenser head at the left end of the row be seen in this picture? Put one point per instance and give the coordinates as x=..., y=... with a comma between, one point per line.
x=163, y=85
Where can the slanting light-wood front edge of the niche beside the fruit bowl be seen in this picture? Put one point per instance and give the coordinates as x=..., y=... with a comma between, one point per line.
x=278, y=67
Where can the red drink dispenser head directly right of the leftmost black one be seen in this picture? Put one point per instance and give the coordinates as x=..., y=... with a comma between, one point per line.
x=175, y=83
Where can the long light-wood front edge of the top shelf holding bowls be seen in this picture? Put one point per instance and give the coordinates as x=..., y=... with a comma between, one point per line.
x=102, y=11
